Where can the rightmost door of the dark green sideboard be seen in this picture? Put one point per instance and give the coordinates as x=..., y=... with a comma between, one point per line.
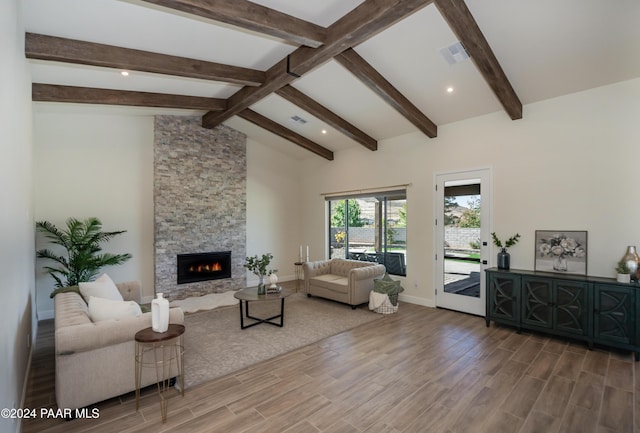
x=613, y=319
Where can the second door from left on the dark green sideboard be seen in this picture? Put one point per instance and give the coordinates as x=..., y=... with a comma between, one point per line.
x=537, y=302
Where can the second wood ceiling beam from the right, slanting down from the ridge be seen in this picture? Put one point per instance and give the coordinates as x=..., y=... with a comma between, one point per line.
x=378, y=84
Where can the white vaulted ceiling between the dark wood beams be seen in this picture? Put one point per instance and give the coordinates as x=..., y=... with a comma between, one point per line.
x=547, y=48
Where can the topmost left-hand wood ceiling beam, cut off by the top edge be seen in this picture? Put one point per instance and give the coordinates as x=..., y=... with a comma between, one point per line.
x=252, y=16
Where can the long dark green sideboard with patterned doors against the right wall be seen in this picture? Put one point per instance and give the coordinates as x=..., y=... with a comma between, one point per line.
x=593, y=309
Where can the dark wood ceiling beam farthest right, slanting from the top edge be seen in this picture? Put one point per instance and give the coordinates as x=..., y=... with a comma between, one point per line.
x=465, y=27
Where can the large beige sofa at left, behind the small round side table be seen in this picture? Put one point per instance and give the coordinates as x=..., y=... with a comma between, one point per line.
x=95, y=361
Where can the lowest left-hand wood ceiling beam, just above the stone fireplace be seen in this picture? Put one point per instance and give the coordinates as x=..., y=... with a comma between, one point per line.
x=88, y=95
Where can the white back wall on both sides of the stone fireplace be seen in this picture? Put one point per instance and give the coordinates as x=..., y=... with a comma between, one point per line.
x=94, y=164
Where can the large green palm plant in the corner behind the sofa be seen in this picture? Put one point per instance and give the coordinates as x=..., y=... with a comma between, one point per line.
x=83, y=256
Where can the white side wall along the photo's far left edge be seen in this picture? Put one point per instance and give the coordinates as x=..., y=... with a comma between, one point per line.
x=17, y=321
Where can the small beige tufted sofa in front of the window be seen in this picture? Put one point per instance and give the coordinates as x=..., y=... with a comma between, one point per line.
x=347, y=281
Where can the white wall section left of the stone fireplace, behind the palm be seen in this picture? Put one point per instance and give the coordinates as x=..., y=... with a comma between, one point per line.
x=96, y=165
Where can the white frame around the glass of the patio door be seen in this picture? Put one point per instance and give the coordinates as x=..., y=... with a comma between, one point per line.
x=467, y=304
